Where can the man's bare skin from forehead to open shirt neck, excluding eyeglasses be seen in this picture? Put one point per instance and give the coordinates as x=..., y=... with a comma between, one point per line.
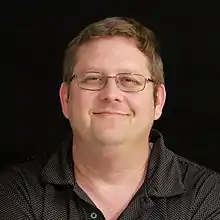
x=111, y=149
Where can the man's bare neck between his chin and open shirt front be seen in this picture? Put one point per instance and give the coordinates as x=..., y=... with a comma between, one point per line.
x=111, y=165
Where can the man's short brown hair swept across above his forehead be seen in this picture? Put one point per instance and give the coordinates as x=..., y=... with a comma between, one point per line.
x=117, y=26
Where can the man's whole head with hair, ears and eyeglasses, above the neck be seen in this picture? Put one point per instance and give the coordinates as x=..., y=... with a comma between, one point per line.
x=113, y=110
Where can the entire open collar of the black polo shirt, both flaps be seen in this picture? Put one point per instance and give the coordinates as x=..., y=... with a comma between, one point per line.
x=164, y=177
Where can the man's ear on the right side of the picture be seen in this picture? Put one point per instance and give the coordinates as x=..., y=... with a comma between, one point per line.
x=159, y=101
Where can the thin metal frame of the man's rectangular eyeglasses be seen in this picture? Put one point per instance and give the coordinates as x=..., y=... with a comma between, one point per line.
x=114, y=77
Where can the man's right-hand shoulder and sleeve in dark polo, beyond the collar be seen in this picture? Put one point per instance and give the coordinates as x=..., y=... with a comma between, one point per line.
x=202, y=185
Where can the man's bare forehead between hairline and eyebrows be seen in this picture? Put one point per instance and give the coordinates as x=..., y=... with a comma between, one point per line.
x=112, y=54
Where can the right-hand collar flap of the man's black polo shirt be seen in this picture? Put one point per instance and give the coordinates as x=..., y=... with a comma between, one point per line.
x=164, y=175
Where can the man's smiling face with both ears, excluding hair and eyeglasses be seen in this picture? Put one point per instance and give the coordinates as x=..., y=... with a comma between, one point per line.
x=111, y=116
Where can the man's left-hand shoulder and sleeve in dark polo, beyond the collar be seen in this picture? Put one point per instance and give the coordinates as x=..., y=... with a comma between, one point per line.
x=20, y=190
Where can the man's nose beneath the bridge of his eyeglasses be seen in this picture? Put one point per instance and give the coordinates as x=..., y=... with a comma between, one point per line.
x=111, y=92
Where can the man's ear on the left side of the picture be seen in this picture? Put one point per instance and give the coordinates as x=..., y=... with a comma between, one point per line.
x=64, y=99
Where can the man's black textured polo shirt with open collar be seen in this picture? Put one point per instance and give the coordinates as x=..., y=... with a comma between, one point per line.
x=175, y=188
